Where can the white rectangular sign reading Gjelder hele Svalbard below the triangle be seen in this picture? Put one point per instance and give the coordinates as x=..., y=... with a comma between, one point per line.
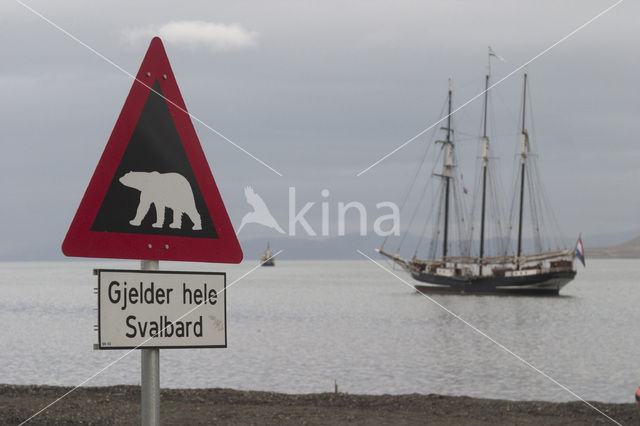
x=161, y=309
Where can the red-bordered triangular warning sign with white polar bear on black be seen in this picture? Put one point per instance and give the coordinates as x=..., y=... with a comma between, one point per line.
x=152, y=195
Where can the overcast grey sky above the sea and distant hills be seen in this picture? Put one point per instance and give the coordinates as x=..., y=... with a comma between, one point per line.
x=319, y=91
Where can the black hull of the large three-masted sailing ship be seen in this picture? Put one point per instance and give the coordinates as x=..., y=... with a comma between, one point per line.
x=544, y=283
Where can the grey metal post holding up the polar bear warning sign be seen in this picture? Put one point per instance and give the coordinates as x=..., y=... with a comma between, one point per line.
x=150, y=372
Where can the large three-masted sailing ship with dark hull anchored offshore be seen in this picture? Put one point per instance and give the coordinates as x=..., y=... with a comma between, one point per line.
x=472, y=270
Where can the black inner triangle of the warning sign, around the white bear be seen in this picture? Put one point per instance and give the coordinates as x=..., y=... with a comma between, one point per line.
x=154, y=146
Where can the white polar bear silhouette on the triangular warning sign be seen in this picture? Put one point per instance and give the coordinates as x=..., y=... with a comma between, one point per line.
x=163, y=190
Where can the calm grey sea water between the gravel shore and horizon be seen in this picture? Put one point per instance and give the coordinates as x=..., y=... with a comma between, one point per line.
x=302, y=325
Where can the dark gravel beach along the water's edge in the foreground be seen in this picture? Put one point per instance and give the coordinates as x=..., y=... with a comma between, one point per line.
x=121, y=405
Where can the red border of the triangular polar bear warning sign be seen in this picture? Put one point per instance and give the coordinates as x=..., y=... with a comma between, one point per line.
x=80, y=241
